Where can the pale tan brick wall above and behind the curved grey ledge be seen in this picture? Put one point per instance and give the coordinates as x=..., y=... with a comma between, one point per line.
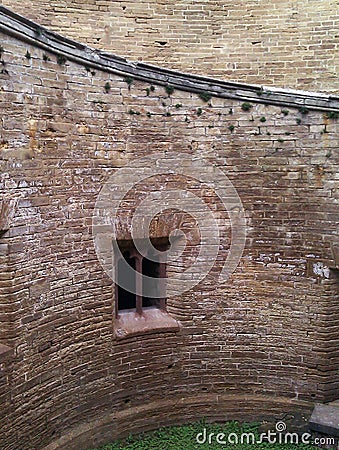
x=290, y=44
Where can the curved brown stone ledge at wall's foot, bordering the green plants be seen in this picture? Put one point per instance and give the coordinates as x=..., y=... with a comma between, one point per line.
x=175, y=411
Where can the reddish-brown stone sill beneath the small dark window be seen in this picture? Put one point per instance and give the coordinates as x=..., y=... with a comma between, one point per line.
x=152, y=320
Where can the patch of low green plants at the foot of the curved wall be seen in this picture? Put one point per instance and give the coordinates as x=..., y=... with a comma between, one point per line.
x=185, y=438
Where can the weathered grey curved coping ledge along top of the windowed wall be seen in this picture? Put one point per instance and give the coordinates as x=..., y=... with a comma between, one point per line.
x=28, y=31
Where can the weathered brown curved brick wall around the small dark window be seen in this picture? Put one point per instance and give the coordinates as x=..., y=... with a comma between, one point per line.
x=260, y=345
